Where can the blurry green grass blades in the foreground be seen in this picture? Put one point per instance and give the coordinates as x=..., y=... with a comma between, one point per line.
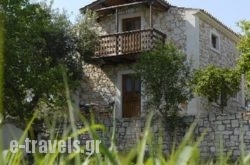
x=187, y=153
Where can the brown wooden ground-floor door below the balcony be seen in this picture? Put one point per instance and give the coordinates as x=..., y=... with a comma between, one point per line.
x=131, y=96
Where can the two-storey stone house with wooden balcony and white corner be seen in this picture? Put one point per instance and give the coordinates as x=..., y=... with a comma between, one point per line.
x=129, y=27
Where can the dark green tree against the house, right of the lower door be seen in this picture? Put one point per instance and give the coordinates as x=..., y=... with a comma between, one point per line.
x=165, y=75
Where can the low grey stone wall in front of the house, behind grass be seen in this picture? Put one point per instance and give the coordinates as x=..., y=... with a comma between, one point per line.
x=227, y=129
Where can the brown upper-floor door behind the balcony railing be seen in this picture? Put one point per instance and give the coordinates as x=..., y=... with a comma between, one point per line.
x=131, y=41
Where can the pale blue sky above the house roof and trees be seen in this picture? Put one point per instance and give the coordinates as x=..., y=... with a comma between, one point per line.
x=227, y=11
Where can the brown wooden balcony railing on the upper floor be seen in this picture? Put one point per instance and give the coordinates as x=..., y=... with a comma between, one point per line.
x=128, y=42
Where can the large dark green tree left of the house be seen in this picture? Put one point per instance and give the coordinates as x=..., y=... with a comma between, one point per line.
x=39, y=41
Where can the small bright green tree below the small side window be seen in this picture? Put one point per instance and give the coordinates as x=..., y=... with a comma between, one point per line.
x=216, y=84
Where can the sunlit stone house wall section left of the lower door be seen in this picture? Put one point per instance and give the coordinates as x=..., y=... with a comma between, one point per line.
x=98, y=85
